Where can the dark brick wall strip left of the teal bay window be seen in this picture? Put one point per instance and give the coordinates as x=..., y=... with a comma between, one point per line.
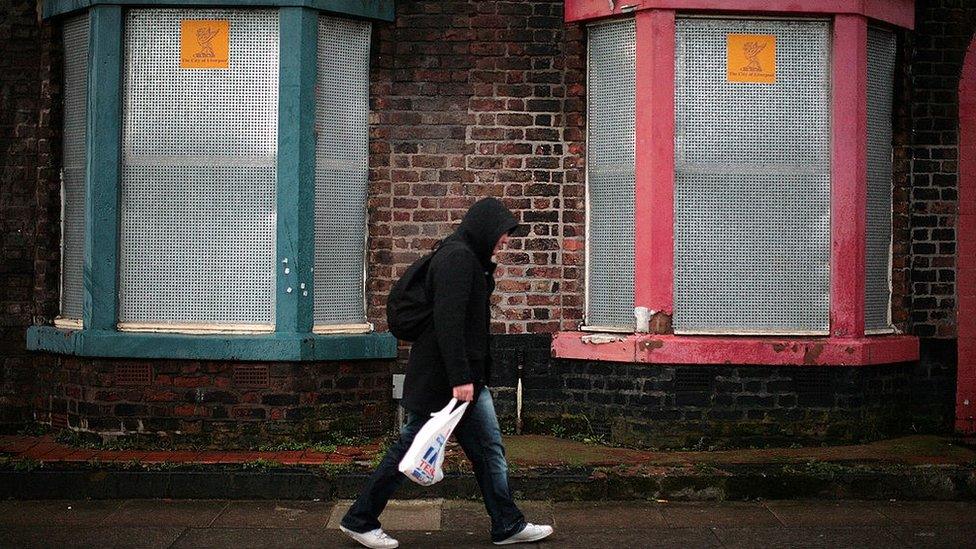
x=29, y=200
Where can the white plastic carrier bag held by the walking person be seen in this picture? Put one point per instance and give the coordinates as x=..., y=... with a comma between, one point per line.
x=424, y=460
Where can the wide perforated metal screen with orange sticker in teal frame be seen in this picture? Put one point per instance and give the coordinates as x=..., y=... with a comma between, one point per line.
x=198, y=180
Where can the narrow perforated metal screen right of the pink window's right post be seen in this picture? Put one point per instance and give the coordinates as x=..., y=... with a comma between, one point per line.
x=877, y=284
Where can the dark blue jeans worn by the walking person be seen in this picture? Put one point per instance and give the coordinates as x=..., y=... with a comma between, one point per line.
x=480, y=438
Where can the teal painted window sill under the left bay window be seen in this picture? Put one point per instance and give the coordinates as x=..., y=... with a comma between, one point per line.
x=265, y=347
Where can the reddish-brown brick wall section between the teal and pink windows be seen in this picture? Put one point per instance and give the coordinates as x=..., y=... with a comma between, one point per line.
x=473, y=99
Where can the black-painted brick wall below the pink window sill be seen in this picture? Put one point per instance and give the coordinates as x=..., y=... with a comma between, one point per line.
x=723, y=406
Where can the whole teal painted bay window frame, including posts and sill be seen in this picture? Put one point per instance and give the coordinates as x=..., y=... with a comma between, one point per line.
x=292, y=339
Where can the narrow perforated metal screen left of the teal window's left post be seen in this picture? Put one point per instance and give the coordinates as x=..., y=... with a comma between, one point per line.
x=73, y=172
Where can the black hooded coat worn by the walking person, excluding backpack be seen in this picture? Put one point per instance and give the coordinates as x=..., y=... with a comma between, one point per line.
x=454, y=349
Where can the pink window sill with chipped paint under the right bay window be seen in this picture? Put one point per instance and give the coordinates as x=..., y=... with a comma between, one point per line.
x=767, y=351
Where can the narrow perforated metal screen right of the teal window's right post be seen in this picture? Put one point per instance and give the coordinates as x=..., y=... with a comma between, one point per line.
x=341, y=108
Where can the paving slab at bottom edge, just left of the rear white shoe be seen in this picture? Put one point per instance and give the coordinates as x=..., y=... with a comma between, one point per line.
x=262, y=537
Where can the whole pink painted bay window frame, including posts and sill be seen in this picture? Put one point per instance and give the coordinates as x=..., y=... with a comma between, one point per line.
x=847, y=344
